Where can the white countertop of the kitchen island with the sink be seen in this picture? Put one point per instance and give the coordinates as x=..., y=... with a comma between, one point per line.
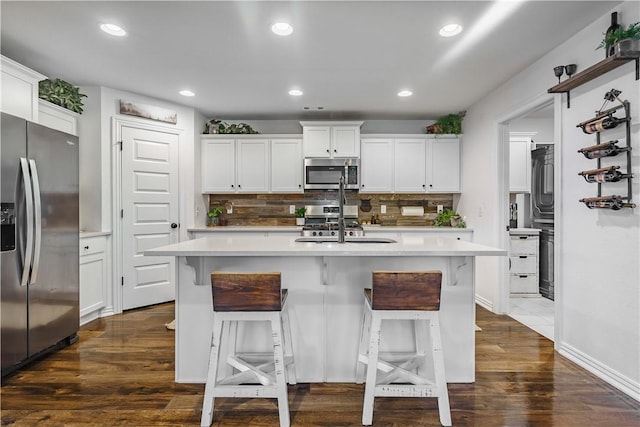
x=287, y=246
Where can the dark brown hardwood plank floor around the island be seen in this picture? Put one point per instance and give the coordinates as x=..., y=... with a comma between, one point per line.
x=120, y=373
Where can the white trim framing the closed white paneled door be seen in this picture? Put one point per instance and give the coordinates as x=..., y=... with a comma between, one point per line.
x=117, y=123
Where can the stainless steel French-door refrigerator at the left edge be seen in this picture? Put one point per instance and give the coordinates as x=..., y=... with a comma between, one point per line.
x=39, y=293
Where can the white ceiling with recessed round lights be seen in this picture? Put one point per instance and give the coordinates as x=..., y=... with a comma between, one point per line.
x=350, y=57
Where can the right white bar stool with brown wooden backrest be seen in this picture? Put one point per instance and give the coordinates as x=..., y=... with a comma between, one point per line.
x=411, y=295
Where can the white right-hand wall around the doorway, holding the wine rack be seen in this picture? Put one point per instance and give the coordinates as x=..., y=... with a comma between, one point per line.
x=598, y=274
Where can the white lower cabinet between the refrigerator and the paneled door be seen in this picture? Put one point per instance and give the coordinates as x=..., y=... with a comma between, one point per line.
x=93, y=277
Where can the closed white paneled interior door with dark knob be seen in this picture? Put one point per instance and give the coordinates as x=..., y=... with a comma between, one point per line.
x=149, y=193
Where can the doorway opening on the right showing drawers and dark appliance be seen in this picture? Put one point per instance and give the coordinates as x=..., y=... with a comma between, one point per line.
x=531, y=290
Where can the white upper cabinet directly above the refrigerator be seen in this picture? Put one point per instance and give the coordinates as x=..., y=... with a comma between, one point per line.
x=19, y=89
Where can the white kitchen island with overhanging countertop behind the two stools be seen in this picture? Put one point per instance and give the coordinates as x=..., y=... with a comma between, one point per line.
x=325, y=282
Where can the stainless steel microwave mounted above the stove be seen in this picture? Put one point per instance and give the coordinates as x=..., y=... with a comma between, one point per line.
x=324, y=174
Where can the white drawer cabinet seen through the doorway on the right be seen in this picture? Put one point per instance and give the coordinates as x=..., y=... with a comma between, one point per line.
x=524, y=262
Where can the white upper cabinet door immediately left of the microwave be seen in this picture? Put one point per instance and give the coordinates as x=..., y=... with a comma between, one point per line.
x=286, y=166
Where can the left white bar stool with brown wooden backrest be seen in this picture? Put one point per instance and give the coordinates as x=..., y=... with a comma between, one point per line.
x=249, y=297
